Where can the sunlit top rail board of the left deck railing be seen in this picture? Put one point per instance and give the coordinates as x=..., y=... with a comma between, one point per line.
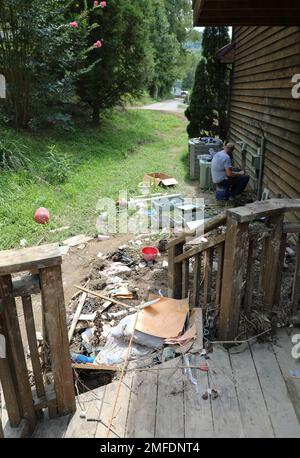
x=13, y=261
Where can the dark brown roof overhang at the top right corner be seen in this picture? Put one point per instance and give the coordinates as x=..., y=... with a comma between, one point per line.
x=246, y=12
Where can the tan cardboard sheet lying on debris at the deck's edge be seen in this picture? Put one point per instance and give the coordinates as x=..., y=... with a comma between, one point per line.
x=164, y=319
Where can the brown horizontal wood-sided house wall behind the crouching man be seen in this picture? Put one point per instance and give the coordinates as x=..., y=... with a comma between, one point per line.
x=266, y=58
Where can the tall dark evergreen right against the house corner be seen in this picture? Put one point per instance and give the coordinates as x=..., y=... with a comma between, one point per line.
x=215, y=38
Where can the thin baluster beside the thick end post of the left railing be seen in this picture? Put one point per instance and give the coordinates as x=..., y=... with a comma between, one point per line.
x=33, y=347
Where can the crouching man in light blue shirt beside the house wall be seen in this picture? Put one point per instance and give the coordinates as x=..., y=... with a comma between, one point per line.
x=225, y=176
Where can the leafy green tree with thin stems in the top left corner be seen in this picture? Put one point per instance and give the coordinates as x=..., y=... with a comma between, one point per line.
x=39, y=53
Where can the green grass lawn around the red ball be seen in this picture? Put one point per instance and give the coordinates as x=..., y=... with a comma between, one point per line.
x=104, y=161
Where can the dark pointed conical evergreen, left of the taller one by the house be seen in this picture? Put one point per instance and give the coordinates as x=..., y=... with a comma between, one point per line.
x=199, y=113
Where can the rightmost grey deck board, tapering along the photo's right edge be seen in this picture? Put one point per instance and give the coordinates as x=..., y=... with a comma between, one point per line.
x=283, y=351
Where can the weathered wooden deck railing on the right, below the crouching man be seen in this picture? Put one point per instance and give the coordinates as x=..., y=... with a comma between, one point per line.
x=235, y=262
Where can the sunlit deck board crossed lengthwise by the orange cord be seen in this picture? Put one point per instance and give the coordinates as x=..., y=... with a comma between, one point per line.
x=118, y=429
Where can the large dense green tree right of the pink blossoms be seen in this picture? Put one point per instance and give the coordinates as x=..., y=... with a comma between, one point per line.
x=122, y=62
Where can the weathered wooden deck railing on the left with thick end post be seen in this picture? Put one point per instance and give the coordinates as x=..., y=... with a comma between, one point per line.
x=24, y=404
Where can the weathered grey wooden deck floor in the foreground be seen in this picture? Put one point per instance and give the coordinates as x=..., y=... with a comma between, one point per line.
x=259, y=398
